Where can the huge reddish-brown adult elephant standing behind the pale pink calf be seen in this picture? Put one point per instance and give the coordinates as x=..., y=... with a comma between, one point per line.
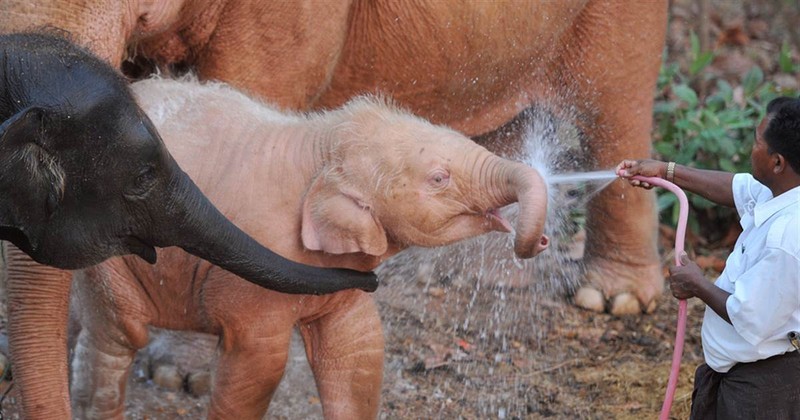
x=474, y=66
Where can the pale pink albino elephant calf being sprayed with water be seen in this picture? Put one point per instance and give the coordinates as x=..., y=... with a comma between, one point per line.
x=347, y=188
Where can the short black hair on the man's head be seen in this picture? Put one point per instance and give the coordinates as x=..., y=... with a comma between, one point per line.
x=783, y=129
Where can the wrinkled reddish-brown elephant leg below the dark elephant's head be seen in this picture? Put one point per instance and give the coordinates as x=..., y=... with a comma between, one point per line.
x=38, y=309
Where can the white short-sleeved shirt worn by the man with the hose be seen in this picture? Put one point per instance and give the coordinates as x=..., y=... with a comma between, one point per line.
x=763, y=275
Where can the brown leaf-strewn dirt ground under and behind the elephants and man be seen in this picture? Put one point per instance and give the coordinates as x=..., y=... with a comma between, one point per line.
x=468, y=337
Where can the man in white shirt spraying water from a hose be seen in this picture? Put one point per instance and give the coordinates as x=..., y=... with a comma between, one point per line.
x=751, y=369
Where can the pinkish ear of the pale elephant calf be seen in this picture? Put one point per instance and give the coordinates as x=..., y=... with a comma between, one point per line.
x=340, y=222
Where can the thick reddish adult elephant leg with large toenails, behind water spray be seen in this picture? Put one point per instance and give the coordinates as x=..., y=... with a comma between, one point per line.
x=611, y=68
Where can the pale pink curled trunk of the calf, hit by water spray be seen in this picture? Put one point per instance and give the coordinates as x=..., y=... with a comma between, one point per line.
x=516, y=182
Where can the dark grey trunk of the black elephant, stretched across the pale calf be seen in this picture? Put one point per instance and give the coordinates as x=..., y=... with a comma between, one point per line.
x=200, y=229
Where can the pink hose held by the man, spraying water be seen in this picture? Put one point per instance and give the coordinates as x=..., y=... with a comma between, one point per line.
x=680, y=237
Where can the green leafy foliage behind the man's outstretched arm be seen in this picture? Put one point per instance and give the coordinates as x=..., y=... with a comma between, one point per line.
x=709, y=128
